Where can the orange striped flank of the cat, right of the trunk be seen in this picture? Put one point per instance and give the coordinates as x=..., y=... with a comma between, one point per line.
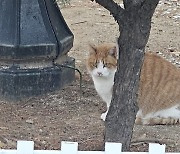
x=159, y=84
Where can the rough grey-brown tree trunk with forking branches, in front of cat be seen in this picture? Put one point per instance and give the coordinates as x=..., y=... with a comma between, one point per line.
x=134, y=22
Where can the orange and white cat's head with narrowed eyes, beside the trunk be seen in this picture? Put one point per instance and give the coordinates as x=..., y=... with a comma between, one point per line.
x=102, y=60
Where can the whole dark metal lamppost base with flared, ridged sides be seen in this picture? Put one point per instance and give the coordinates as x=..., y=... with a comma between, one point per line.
x=33, y=34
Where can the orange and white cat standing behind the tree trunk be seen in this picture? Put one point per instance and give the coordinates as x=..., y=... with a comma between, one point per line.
x=159, y=88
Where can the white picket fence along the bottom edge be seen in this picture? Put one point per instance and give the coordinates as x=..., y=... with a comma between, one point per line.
x=27, y=147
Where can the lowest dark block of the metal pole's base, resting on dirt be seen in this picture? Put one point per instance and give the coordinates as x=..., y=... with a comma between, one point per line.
x=17, y=83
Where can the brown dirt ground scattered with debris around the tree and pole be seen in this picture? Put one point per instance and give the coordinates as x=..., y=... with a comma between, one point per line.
x=68, y=114
